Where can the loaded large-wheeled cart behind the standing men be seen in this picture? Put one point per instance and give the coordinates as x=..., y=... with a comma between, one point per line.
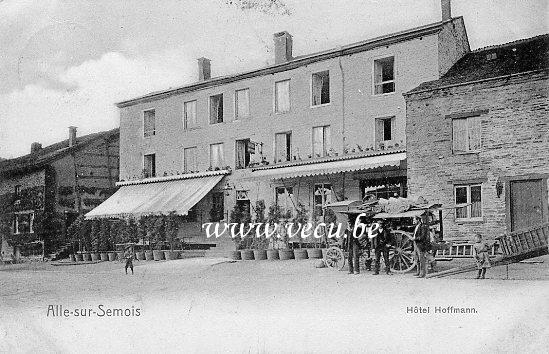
x=399, y=214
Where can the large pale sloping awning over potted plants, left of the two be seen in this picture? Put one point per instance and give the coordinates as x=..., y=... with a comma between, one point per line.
x=161, y=196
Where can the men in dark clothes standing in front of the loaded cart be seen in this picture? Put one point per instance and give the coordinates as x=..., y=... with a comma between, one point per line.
x=382, y=241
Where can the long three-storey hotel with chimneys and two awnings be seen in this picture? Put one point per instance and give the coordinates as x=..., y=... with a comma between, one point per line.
x=309, y=129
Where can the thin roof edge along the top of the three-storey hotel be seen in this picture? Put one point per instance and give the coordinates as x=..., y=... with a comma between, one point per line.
x=299, y=61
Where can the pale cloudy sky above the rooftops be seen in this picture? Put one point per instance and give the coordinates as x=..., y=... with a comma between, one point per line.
x=65, y=63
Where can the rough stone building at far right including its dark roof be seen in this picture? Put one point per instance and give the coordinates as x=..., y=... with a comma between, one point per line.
x=478, y=139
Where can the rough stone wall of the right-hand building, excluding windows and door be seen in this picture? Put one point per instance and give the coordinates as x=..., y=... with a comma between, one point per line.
x=514, y=144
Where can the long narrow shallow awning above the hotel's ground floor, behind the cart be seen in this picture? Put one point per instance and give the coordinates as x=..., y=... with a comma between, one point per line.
x=330, y=167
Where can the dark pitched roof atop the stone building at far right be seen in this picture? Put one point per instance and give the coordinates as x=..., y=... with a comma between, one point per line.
x=516, y=57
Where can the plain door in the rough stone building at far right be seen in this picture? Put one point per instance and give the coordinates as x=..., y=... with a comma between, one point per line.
x=526, y=204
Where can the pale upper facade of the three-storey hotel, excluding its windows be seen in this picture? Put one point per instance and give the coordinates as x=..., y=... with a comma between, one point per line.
x=351, y=113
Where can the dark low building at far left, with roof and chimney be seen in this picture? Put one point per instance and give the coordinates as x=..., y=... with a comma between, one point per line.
x=43, y=192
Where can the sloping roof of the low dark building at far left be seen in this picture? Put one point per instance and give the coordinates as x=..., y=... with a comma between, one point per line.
x=51, y=153
